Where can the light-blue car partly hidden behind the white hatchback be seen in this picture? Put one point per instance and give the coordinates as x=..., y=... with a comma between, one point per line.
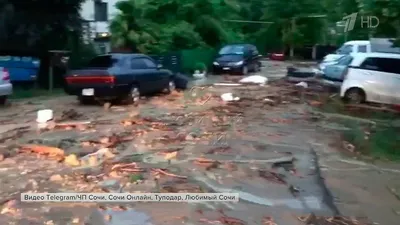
x=333, y=74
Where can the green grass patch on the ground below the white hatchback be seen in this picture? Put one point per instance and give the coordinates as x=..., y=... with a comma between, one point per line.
x=380, y=141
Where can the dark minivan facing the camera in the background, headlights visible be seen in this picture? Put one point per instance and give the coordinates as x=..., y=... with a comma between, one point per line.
x=238, y=58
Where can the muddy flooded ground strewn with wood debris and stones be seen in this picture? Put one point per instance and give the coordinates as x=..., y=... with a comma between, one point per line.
x=270, y=147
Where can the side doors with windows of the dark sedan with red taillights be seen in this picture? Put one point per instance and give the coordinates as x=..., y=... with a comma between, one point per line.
x=145, y=75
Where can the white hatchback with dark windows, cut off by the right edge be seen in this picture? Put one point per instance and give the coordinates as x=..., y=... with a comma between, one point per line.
x=372, y=77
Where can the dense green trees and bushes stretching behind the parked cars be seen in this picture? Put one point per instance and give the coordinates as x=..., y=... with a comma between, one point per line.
x=155, y=26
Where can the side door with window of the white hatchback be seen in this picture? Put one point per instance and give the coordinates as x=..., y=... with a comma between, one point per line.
x=376, y=79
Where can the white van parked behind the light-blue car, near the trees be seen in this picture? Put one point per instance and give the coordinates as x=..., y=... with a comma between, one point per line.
x=346, y=49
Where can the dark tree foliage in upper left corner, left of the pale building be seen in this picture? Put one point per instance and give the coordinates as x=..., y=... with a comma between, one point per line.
x=39, y=24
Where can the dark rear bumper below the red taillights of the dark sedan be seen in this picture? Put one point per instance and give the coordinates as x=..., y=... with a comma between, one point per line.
x=99, y=91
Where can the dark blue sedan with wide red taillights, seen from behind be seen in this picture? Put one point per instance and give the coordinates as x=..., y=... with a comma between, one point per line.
x=119, y=77
